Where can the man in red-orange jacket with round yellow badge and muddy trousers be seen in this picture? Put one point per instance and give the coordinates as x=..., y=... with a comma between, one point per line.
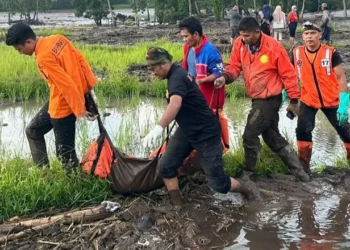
x=266, y=72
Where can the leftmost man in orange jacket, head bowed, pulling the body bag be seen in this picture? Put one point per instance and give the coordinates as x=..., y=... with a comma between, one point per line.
x=69, y=78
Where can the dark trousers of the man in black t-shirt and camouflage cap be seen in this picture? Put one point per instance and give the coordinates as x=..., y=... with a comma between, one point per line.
x=210, y=153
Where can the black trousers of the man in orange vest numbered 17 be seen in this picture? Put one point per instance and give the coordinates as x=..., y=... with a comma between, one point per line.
x=306, y=124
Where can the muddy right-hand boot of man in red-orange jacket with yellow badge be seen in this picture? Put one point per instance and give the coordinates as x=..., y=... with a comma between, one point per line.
x=290, y=159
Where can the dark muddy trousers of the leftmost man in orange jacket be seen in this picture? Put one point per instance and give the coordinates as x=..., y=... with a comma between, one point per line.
x=64, y=131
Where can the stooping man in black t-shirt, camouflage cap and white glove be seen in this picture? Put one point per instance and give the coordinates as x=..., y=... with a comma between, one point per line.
x=199, y=129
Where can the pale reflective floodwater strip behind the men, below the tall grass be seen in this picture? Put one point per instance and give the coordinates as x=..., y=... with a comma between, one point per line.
x=128, y=121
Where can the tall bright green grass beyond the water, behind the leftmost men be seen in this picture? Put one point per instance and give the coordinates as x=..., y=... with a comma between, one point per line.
x=20, y=78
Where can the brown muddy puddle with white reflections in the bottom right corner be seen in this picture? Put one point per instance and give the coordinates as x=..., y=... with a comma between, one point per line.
x=316, y=223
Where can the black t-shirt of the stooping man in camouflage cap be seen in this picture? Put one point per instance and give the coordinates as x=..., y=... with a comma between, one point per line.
x=195, y=118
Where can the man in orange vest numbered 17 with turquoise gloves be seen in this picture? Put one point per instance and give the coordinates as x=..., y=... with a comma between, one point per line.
x=323, y=86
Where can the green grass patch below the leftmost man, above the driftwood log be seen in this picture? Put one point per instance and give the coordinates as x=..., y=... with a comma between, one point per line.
x=25, y=189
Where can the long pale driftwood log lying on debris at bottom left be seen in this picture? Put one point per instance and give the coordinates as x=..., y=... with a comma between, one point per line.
x=37, y=223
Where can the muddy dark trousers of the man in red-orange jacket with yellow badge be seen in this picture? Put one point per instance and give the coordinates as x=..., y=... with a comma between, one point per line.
x=263, y=120
